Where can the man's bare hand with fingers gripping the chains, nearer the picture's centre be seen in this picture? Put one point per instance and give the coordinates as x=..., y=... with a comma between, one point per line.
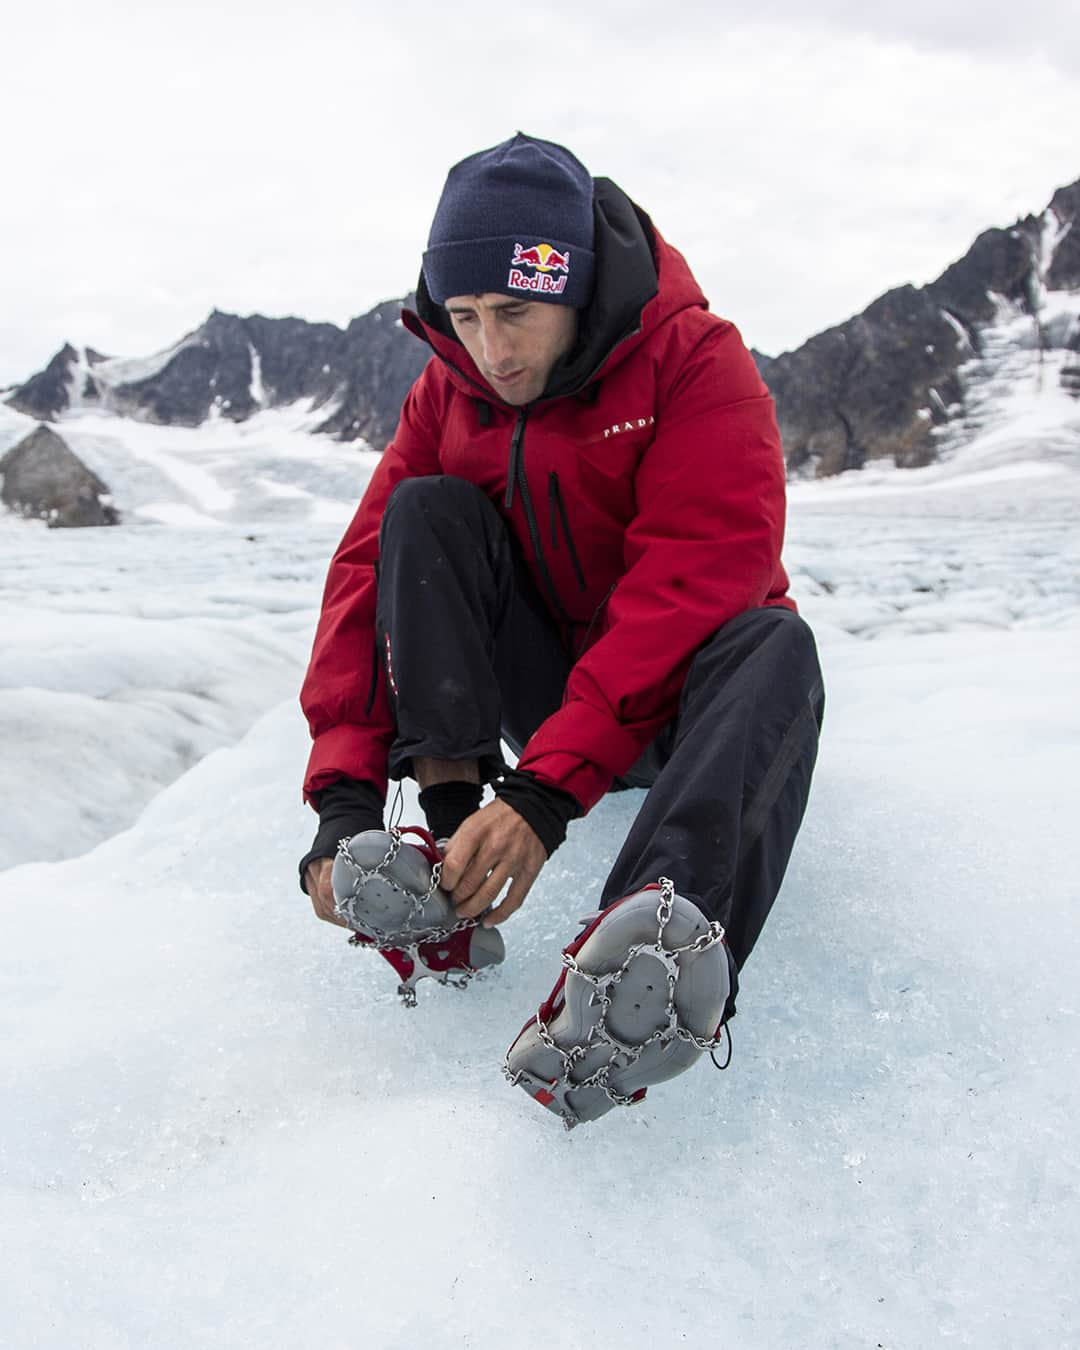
x=491, y=848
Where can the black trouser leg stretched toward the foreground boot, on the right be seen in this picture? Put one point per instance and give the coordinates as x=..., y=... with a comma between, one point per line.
x=724, y=811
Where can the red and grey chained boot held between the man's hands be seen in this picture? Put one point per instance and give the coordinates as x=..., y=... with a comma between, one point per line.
x=388, y=893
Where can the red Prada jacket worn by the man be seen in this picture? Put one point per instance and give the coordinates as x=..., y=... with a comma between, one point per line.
x=650, y=506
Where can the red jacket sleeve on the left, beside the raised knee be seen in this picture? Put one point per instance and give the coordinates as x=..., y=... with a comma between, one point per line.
x=345, y=695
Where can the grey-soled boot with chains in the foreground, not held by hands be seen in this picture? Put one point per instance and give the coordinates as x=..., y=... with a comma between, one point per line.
x=641, y=1000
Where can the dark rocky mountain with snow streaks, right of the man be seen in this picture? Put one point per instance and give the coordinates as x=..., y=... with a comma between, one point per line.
x=908, y=380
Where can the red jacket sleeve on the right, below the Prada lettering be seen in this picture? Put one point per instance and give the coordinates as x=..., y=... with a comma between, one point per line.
x=704, y=546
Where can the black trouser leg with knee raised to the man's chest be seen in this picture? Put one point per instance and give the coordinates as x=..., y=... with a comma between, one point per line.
x=469, y=649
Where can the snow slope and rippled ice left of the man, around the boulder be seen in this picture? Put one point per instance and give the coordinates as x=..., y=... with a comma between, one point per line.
x=132, y=653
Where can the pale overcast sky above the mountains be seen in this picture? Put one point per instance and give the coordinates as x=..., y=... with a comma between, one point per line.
x=163, y=160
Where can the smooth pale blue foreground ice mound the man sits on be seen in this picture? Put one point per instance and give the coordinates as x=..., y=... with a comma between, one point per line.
x=222, y=1129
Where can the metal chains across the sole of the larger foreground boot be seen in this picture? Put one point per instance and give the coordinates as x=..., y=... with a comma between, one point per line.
x=626, y=1055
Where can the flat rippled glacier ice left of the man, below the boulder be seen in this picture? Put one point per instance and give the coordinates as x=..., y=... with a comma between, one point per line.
x=128, y=657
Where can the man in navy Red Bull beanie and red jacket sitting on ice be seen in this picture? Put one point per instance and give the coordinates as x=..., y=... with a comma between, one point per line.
x=573, y=545
